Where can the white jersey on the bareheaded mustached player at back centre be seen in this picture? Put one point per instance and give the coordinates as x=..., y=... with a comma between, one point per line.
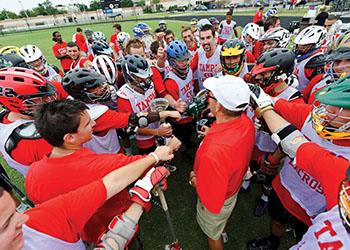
x=207, y=67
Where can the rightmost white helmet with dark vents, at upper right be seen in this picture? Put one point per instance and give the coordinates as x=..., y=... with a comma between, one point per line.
x=313, y=34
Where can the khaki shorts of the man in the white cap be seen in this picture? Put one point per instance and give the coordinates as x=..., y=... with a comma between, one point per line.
x=214, y=224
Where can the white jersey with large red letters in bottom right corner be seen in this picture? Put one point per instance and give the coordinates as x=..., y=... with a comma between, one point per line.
x=326, y=232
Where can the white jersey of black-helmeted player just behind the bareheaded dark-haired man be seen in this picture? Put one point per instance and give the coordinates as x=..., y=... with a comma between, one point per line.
x=106, y=144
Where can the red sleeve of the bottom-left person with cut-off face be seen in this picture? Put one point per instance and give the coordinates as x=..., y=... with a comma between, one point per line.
x=64, y=216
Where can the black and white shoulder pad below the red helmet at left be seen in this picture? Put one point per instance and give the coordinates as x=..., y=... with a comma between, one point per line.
x=25, y=131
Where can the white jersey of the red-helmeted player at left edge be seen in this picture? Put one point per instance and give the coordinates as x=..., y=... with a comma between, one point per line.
x=5, y=132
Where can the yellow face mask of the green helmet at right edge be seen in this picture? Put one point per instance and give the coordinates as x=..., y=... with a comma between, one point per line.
x=331, y=122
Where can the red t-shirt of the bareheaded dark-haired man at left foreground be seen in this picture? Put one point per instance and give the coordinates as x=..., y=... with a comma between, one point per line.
x=51, y=177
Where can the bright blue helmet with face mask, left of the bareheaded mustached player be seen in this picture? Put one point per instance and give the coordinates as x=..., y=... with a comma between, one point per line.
x=177, y=51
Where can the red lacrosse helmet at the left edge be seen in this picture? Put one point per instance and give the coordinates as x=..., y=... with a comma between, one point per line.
x=22, y=89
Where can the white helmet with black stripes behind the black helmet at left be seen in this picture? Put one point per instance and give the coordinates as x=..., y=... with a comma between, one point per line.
x=105, y=66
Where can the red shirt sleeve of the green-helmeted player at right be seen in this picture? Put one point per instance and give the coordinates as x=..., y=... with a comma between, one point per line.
x=328, y=169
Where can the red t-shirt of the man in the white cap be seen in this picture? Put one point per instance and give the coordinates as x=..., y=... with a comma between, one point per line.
x=222, y=160
